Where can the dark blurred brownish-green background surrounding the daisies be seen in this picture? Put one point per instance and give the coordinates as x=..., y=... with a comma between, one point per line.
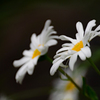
x=18, y=20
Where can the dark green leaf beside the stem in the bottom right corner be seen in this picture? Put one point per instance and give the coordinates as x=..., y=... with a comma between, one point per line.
x=88, y=91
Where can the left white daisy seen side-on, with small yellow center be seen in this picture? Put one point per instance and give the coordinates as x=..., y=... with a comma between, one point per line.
x=39, y=46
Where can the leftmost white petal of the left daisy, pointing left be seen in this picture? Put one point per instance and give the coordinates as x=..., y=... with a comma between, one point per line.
x=21, y=61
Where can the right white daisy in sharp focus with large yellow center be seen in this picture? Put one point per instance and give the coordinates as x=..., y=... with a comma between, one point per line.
x=77, y=47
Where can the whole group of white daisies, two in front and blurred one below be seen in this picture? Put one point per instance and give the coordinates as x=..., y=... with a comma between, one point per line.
x=71, y=50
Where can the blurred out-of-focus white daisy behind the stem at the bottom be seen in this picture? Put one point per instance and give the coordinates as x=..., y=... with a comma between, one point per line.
x=65, y=90
